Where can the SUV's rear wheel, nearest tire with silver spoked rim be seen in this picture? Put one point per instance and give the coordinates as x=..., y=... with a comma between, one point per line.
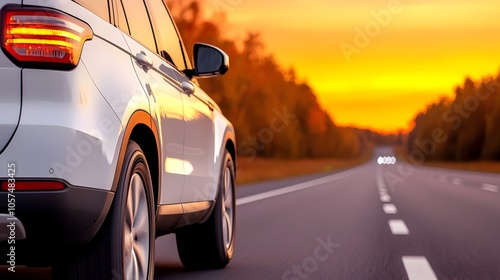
x=124, y=246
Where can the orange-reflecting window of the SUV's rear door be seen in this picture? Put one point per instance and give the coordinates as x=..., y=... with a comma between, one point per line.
x=138, y=23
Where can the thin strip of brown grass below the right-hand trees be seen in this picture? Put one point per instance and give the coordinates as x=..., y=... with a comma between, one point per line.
x=477, y=166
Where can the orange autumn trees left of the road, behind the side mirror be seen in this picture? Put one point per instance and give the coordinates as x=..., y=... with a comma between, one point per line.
x=274, y=113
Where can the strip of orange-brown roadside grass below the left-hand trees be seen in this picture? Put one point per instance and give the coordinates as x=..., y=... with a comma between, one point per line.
x=264, y=169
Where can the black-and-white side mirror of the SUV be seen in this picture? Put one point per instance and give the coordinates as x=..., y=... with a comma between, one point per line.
x=209, y=61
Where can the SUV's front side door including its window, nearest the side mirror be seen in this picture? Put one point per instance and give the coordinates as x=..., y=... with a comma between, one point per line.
x=198, y=156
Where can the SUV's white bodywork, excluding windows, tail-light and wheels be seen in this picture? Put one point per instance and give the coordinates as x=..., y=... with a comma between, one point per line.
x=74, y=126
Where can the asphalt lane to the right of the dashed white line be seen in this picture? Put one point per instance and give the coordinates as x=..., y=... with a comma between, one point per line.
x=453, y=221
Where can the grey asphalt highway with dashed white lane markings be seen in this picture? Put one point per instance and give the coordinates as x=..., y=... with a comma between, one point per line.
x=370, y=222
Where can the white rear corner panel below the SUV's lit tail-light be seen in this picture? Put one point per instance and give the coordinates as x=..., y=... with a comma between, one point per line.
x=60, y=143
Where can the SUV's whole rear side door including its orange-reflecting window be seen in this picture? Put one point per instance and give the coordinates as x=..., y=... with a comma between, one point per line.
x=158, y=77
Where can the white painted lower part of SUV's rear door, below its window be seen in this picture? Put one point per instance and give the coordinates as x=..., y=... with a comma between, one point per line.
x=168, y=113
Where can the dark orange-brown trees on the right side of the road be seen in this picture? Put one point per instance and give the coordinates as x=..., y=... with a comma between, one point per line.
x=462, y=128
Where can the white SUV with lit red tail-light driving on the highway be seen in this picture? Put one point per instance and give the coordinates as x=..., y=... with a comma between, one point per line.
x=107, y=141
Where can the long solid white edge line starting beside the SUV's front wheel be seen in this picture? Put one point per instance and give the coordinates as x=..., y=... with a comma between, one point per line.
x=296, y=187
